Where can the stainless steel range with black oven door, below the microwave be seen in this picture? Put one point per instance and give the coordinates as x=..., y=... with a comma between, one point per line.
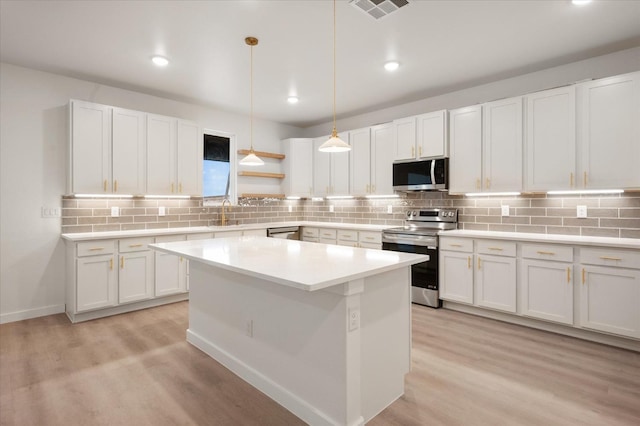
x=420, y=235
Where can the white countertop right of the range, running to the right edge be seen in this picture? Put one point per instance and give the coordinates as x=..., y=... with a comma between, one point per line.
x=632, y=243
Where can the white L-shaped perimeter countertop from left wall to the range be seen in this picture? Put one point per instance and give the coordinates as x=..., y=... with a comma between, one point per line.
x=87, y=236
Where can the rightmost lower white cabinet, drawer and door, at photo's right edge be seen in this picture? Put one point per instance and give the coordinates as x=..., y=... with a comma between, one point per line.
x=610, y=294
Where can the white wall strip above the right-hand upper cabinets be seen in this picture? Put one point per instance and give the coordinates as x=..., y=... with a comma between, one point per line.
x=602, y=66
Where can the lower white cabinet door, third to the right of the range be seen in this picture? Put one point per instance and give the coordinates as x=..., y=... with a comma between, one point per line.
x=547, y=290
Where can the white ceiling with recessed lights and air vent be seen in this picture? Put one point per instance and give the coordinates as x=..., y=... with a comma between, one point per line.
x=442, y=46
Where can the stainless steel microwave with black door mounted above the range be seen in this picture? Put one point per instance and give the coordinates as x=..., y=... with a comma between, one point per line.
x=421, y=175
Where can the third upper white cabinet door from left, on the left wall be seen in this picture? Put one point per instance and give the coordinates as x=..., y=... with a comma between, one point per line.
x=161, y=154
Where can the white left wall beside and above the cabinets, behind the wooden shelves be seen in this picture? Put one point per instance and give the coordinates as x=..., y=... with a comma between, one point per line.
x=33, y=142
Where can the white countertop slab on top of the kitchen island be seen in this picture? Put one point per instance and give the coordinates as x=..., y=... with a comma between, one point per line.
x=299, y=264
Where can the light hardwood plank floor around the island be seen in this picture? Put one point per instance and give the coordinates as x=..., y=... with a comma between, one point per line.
x=137, y=369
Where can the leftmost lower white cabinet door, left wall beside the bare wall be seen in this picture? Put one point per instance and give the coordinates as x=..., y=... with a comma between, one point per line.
x=96, y=283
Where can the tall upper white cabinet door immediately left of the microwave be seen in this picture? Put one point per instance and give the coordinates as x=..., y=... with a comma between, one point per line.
x=382, y=150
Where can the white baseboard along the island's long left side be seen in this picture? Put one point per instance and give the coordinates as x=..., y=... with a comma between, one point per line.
x=282, y=396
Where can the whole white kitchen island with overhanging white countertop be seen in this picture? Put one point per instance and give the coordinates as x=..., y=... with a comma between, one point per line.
x=323, y=330
